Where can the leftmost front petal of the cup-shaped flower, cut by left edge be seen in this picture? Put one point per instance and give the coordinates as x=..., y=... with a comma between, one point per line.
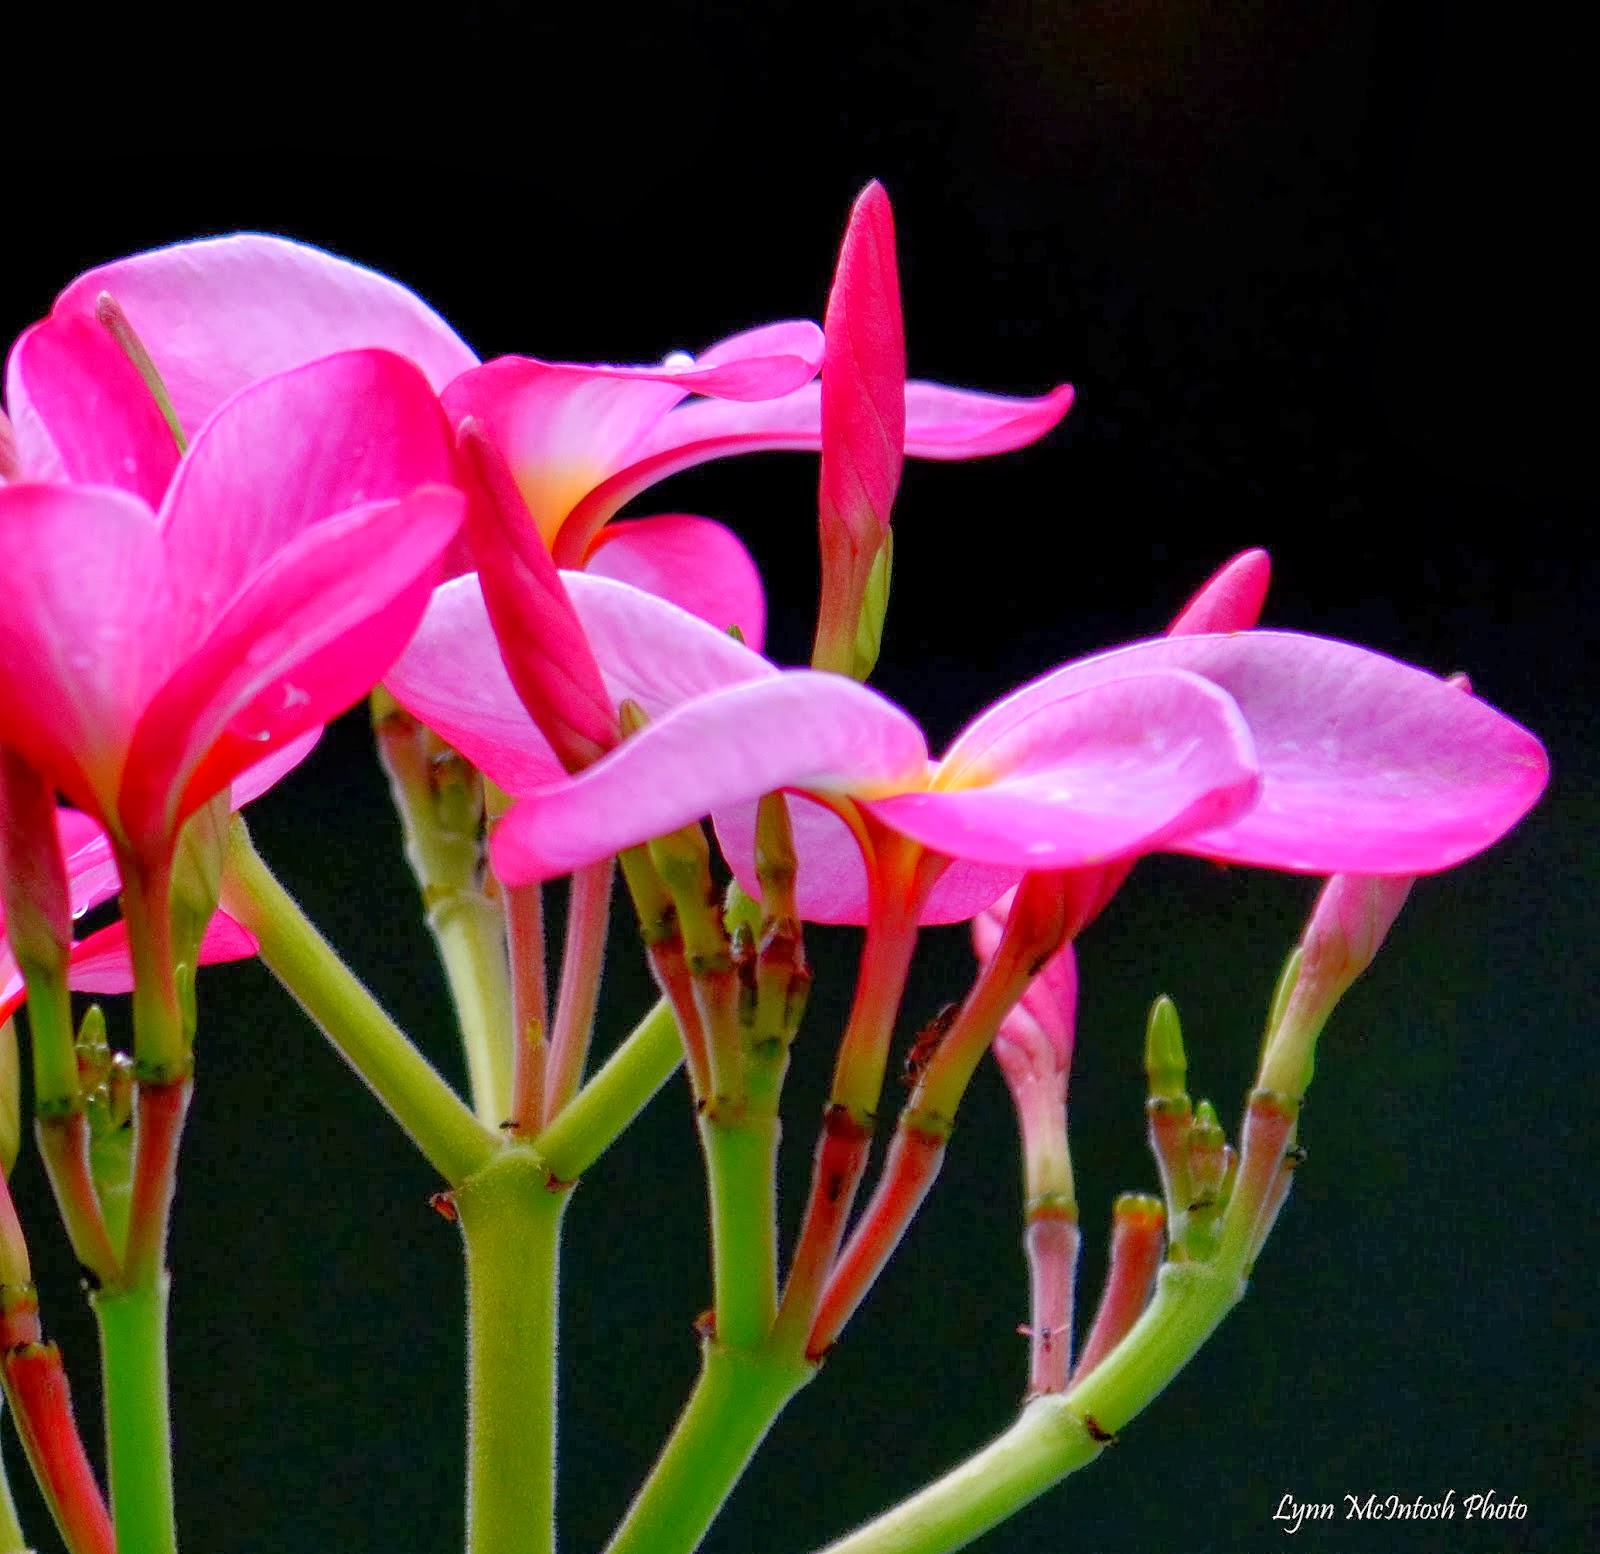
x=86, y=635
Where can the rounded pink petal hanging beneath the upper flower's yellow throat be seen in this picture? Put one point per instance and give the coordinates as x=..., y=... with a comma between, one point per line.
x=698, y=564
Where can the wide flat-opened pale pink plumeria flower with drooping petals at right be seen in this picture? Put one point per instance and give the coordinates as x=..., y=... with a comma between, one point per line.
x=1268, y=748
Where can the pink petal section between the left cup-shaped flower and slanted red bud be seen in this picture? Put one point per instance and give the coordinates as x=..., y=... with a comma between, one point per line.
x=452, y=678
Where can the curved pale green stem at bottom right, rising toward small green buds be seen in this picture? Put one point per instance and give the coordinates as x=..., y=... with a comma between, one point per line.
x=1058, y=1435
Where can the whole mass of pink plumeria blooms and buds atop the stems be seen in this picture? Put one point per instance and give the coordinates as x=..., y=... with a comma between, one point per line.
x=246, y=481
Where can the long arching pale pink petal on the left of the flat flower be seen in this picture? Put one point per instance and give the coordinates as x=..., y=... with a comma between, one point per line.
x=793, y=731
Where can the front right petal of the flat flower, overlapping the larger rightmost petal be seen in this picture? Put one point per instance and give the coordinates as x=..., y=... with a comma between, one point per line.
x=1126, y=767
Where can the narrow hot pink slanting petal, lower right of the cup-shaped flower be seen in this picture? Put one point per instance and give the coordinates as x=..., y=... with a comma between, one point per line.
x=311, y=635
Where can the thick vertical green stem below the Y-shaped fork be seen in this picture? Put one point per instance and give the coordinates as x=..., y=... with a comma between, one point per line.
x=513, y=1227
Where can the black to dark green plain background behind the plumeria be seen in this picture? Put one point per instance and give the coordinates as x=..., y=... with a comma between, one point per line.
x=1310, y=268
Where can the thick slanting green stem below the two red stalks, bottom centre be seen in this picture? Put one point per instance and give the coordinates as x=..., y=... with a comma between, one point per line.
x=729, y=1414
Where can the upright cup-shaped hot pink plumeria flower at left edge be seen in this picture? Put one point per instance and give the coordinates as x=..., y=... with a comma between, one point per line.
x=172, y=635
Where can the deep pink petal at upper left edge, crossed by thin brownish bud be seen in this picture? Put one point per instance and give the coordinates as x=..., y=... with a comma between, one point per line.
x=84, y=414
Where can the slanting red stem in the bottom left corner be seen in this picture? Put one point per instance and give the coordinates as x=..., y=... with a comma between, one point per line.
x=36, y=1385
